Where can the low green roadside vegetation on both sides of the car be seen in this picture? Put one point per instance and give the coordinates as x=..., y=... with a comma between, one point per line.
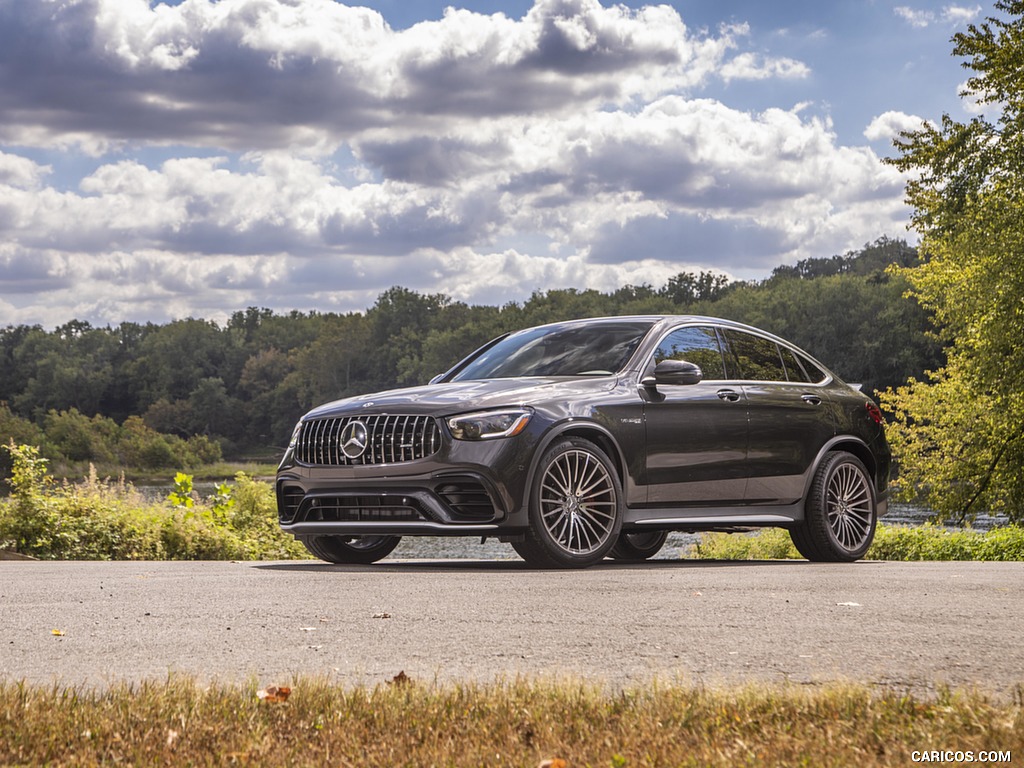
x=103, y=520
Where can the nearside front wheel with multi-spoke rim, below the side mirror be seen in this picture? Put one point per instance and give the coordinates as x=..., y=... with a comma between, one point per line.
x=576, y=507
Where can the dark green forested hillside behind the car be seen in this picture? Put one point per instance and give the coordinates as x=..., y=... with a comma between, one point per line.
x=193, y=391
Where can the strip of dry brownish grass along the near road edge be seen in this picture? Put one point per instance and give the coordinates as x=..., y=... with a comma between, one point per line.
x=521, y=723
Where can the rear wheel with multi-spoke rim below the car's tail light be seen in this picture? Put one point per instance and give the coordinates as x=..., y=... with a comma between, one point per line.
x=840, y=514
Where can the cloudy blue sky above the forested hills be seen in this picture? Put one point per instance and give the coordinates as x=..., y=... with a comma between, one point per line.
x=161, y=161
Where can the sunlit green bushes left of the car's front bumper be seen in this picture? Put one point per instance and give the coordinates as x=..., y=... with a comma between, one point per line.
x=101, y=520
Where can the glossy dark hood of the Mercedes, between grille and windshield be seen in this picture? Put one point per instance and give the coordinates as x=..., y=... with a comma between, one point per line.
x=460, y=397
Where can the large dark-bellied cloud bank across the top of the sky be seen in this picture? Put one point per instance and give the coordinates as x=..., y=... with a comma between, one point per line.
x=272, y=74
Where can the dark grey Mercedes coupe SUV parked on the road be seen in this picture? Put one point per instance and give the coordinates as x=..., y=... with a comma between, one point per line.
x=590, y=439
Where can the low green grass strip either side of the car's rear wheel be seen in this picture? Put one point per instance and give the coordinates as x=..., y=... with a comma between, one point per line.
x=891, y=543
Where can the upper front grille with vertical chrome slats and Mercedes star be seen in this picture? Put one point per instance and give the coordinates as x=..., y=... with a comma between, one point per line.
x=385, y=440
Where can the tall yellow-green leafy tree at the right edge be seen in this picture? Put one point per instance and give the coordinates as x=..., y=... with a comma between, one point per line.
x=959, y=435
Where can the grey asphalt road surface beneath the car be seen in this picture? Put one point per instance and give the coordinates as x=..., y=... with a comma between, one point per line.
x=910, y=626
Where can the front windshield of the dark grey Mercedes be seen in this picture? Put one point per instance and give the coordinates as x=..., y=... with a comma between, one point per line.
x=595, y=350
